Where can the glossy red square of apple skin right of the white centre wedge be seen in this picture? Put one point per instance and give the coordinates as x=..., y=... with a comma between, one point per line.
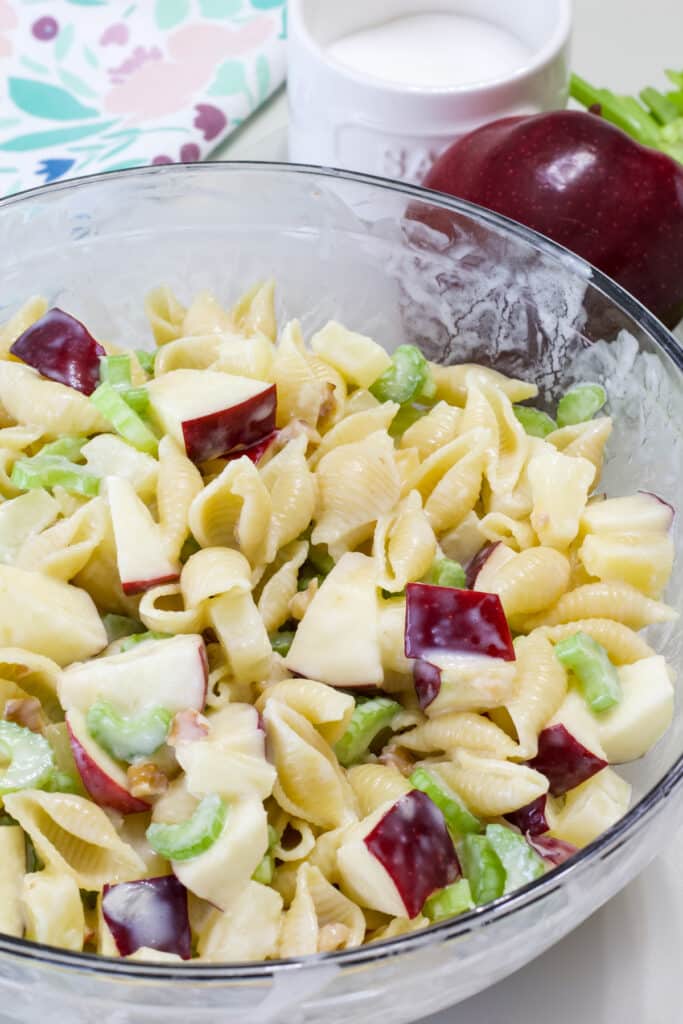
x=466, y=622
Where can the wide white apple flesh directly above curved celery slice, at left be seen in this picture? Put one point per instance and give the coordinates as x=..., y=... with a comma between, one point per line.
x=170, y=674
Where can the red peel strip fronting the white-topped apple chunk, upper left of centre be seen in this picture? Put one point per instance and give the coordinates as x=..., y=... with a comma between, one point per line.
x=240, y=426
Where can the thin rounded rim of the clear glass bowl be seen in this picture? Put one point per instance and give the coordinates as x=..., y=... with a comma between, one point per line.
x=535, y=892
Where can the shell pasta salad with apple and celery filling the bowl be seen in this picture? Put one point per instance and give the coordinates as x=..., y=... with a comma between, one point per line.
x=305, y=646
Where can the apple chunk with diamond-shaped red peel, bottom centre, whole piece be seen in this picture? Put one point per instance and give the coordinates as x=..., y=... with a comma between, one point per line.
x=394, y=861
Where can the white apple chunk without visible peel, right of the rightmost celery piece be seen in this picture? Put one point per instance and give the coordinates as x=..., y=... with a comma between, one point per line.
x=645, y=713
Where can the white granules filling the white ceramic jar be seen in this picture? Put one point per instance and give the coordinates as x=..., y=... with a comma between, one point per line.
x=433, y=51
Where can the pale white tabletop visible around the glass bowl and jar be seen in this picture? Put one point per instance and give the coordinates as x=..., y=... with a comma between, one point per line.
x=624, y=965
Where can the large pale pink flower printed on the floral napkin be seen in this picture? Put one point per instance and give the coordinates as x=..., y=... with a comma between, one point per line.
x=162, y=88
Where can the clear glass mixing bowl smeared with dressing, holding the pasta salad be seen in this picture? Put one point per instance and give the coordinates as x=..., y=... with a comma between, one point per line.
x=400, y=265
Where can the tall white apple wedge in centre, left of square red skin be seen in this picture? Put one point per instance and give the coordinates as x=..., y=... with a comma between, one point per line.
x=338, y=639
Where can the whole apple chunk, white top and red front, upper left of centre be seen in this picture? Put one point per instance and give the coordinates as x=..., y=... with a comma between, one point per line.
x=212, y=414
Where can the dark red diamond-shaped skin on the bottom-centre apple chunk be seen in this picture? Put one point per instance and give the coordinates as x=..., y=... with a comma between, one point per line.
x=413, y=845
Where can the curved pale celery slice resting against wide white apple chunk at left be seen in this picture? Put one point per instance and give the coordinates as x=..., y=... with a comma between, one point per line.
x=129, y=739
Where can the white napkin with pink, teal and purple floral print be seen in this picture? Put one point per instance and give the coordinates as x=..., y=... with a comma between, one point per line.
x=101, y=86
